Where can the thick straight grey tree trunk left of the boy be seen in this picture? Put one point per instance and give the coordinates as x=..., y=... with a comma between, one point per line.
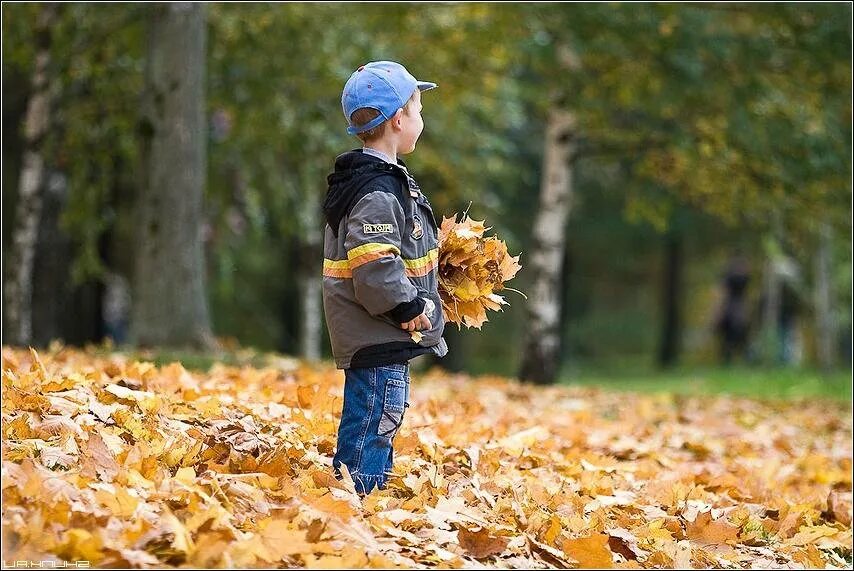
x=170, y=306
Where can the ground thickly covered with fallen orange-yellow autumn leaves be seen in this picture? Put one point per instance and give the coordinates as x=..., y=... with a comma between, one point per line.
x=123, y=463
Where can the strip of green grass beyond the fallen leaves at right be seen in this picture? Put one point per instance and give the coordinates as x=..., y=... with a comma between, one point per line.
x=771, y=383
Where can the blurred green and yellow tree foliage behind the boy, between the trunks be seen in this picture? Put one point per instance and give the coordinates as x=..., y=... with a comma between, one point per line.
x=706, y=116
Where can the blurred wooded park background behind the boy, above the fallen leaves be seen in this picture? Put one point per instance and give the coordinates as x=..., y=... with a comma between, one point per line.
x=677, y=179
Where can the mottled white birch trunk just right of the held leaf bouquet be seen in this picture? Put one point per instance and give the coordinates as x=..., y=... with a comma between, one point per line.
x=541, y=357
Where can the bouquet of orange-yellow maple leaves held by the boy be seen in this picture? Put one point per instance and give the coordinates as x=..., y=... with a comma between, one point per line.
x=471, y=269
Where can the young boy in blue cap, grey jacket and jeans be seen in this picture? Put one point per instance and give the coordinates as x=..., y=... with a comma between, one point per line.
x=380, y=289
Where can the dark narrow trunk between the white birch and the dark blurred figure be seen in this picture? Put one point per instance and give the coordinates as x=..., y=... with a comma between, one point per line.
x=671, y=295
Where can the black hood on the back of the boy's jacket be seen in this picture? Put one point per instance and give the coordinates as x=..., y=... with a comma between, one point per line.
x=353, y=171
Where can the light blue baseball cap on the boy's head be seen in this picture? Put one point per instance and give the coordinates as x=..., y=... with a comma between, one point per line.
x=382, y=85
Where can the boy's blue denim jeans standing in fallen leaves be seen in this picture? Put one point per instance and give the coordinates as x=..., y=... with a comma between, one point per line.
x=375, y=399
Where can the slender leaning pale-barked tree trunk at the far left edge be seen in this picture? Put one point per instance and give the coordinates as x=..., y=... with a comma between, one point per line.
x=18, y=287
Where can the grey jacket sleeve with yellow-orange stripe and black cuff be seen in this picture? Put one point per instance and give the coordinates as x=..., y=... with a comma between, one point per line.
x=374, y=230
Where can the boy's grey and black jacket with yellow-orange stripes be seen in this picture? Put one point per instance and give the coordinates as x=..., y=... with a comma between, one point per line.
x=381, y=253
